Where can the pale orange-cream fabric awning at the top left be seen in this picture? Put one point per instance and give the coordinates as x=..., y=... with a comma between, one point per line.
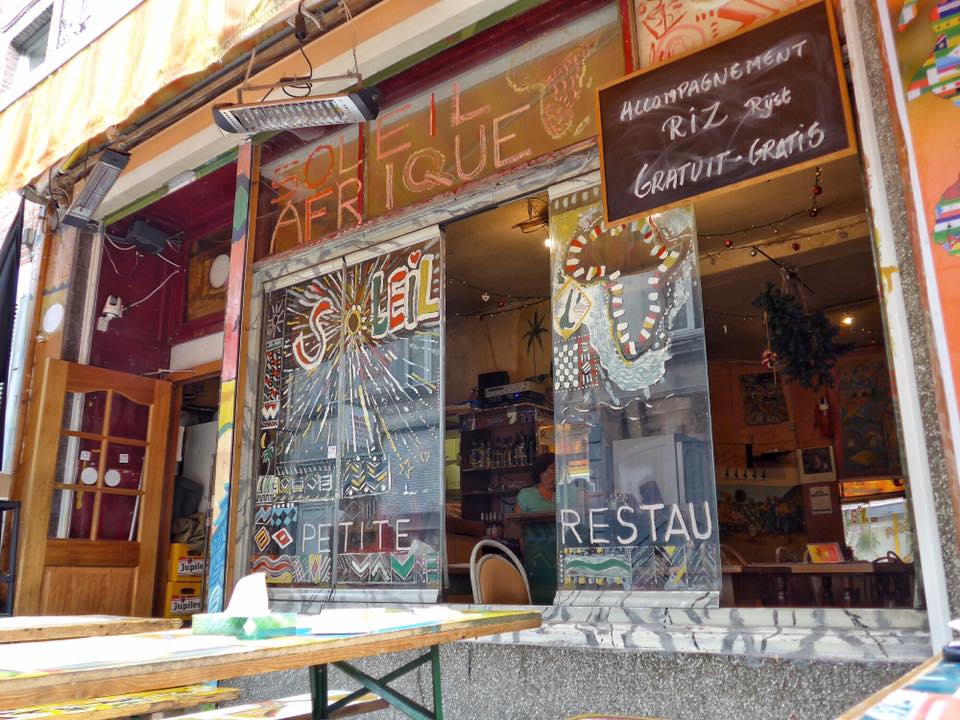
x=141, y=62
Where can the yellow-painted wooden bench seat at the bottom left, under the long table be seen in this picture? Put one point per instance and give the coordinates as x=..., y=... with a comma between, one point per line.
x=127, y=704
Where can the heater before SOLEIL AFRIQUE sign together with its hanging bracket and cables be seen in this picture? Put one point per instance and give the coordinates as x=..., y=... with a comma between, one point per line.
x=297, y=111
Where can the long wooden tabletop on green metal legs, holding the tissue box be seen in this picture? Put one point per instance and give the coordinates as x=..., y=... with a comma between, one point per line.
x=59, y=670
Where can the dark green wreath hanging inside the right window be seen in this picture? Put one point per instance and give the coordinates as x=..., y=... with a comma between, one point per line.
x=804, y=342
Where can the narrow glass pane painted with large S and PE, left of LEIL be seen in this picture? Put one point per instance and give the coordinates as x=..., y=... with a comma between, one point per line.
x=295, y=497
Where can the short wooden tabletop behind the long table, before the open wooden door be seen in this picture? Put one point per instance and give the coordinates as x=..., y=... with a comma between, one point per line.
x=25, y=628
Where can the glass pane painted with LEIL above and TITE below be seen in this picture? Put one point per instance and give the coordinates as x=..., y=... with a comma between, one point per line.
x=391, y=444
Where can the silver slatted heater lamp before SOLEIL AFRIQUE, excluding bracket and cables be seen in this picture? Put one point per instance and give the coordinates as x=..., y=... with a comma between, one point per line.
x=292, y=113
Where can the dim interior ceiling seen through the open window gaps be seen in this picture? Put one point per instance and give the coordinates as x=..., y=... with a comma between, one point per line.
x=834, y=260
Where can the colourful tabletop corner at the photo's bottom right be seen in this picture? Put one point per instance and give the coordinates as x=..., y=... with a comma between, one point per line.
x=926, y=691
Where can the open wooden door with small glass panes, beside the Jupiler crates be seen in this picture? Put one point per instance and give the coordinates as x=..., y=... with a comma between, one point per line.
x=93, y=494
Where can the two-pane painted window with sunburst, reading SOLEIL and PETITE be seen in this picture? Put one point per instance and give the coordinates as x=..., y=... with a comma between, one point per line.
x=350, y=490
